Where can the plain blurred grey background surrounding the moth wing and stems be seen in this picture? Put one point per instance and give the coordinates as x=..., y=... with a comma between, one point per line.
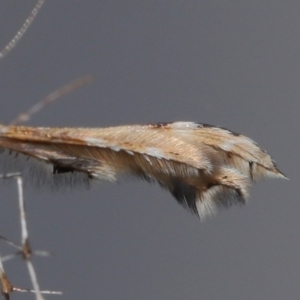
x=229, y=63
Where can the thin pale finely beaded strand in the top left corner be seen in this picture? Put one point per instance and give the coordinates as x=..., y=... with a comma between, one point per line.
x=23, y=29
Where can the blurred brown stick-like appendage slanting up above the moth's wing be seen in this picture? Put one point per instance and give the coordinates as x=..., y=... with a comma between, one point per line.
x=68, y=88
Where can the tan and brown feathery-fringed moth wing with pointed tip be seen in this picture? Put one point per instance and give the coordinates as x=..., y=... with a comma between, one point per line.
x=204, y=167
